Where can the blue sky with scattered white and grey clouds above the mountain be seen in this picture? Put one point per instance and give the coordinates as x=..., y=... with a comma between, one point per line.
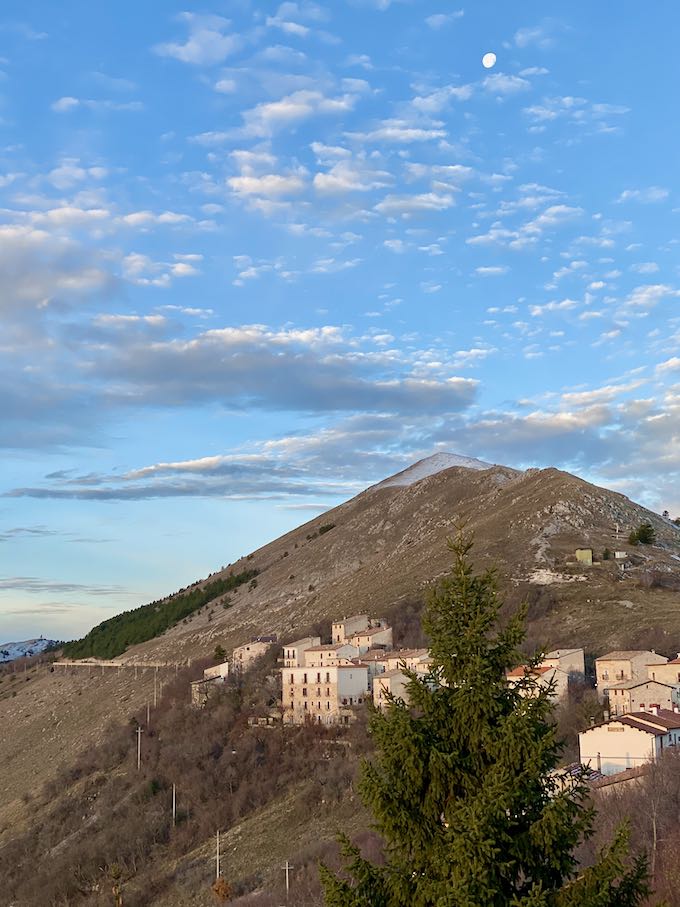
x=255, y=257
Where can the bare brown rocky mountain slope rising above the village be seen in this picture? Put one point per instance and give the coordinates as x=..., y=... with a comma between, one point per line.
x=388, y=543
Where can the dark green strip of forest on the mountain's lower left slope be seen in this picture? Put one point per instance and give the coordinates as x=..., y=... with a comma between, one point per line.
x=113, y=636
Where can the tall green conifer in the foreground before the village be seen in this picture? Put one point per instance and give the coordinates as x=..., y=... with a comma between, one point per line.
x=463, y=786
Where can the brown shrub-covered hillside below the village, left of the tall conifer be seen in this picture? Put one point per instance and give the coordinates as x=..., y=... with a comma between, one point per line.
x=102, y=820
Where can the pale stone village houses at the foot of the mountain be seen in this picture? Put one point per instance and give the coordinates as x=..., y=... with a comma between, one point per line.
x=324, y=683
